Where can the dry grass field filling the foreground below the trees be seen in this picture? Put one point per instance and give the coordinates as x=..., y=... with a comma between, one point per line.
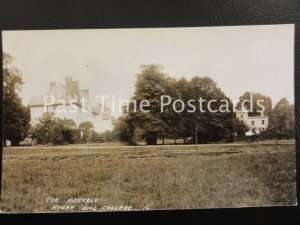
x=160, y=177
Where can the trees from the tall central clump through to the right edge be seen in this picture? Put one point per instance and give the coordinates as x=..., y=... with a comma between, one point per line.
x=200, y=127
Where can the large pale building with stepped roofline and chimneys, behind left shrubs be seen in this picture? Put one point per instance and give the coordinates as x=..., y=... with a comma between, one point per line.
x=70, y=102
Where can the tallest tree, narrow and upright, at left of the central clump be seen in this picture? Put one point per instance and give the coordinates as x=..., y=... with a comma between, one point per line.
x=150, y=85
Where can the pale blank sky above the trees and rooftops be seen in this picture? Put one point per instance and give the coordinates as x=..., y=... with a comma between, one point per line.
x=105, y=61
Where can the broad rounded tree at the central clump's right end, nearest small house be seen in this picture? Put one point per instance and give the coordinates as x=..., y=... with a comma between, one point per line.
x=211, y=126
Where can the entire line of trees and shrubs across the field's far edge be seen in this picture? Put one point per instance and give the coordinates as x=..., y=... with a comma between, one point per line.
x=137, y=125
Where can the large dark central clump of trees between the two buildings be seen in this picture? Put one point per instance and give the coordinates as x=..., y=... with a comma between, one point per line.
x=151, y=84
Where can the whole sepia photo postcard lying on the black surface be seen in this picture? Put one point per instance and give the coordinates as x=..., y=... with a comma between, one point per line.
x=148, y=119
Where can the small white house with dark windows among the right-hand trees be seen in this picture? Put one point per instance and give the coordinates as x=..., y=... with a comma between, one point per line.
x=256, y=124
